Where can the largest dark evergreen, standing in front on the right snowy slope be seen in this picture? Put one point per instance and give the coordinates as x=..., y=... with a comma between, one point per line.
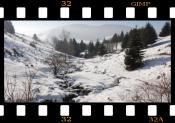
x=133, y=54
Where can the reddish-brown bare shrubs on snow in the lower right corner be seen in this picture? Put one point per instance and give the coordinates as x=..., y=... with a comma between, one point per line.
x=159, y=91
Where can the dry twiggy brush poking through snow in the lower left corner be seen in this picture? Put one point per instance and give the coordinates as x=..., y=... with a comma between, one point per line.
x=12, y=93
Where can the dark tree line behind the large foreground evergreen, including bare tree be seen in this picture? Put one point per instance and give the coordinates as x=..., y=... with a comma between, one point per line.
x=147, y=35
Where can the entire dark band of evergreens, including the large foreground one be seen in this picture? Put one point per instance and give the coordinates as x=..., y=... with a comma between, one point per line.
x=133, y=42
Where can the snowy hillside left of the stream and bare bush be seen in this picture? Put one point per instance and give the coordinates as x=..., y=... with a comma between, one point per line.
x=29, y=59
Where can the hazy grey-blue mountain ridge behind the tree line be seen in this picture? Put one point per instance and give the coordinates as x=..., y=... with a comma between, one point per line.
x=85, y=32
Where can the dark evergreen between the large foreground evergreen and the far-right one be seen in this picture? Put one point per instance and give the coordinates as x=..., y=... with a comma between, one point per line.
x=148, y=35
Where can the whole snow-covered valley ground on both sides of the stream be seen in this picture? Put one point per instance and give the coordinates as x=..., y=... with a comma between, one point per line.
x=99, y=79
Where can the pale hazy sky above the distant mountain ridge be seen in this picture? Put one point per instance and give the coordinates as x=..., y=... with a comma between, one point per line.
x=31, y=27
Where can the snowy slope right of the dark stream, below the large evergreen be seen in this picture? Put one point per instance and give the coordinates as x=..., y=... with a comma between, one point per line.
x=109, y=71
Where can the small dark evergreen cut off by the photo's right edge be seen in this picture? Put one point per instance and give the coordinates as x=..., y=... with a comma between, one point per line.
x=166, y=30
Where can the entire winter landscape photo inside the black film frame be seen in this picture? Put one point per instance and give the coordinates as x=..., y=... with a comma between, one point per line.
x=87, y=61
